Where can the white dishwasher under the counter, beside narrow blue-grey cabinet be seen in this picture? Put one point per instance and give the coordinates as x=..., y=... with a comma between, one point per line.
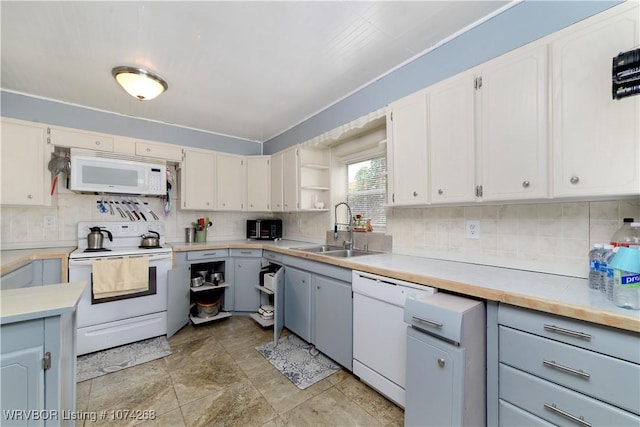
x=379, y=331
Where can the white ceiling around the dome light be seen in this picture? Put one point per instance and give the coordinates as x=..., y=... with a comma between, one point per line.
x=245, y=69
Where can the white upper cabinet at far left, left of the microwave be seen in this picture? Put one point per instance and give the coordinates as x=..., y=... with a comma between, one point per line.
x=24, y=159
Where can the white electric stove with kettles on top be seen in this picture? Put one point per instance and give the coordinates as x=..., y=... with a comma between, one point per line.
x=111, y=322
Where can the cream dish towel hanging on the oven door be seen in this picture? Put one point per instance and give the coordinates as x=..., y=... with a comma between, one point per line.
x=122, y=276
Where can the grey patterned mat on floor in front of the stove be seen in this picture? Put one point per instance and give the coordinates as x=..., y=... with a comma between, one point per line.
x=115, y=359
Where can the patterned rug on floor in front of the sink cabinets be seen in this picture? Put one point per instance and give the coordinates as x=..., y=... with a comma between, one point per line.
x=298, y=360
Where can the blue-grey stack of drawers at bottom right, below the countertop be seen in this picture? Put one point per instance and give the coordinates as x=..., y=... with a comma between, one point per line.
x=564, y=371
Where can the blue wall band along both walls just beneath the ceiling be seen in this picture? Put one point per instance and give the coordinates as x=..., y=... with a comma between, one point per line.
x=517, y=26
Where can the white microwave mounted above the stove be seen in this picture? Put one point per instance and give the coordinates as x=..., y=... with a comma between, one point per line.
x=97, y=172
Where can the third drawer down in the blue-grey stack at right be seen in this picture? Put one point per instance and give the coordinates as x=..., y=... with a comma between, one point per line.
x=557, y=404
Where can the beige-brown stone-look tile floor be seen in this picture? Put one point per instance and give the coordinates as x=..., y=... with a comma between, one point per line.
x=215, y=377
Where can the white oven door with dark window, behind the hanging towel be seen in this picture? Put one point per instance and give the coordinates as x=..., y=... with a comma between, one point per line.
x=95, y=312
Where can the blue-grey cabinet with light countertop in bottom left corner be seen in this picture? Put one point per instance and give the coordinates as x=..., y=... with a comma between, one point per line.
x=37, y=360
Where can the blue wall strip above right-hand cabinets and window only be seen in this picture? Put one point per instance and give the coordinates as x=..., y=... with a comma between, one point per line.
x=521, y=24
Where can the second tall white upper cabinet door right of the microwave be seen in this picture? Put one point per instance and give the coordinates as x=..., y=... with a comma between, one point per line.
x=231, y=182
